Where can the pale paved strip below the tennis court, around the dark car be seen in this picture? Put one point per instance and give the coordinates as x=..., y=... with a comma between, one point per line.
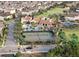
x=37, y=49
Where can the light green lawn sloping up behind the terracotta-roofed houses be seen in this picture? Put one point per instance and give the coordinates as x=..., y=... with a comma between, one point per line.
x=52, y=11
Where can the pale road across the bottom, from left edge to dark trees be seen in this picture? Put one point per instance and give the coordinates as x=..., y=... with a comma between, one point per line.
x=36, y=49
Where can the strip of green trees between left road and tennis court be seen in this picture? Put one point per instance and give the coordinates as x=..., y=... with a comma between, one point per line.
x=18, y=32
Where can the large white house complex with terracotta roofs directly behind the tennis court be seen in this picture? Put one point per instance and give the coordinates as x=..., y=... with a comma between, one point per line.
x=36, y=24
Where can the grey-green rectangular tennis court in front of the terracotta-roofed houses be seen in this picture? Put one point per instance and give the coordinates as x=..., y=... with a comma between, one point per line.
x=38, y=36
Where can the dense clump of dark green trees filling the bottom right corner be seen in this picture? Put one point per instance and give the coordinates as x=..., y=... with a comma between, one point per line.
x=69, y=48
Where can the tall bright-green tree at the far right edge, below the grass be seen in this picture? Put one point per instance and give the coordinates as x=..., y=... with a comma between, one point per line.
x=74, y=45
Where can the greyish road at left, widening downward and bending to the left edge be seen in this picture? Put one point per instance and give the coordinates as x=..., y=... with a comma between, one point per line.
x=10, y=44
